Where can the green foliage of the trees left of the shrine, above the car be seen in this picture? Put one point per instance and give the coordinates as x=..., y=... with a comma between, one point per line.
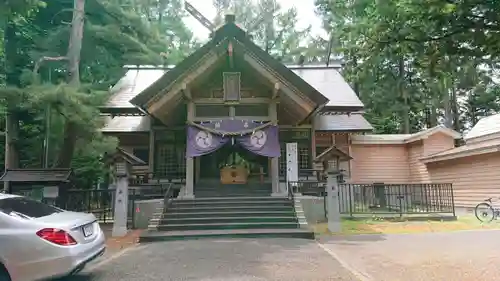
x=116, y=33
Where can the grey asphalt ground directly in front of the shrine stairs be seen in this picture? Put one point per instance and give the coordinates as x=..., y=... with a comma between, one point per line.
x=210, y=260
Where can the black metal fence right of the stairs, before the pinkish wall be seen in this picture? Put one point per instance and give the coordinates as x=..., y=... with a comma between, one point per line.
x=386, y=199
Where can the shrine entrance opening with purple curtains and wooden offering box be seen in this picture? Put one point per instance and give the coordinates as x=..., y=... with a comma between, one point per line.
x=232, y=150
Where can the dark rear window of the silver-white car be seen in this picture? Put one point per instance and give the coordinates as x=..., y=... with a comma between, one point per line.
x=26, y=208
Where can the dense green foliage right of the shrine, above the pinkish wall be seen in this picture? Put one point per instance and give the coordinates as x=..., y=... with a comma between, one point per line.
x=417, y=63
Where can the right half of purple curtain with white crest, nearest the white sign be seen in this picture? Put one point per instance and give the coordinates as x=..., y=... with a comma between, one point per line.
x=262, y=142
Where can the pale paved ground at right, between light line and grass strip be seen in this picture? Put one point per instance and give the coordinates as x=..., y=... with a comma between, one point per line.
x=464, y=256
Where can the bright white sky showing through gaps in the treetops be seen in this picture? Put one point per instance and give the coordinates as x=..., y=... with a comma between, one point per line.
x=305, y=9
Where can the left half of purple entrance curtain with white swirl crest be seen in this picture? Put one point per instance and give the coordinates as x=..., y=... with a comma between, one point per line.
x=200, y=142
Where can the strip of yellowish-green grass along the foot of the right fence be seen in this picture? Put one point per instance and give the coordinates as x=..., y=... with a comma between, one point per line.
x=395, y=226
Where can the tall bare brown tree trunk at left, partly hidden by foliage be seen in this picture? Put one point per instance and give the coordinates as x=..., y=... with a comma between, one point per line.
x=73, y=56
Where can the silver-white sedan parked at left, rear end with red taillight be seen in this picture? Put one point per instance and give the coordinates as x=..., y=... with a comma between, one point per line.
x=39, y=241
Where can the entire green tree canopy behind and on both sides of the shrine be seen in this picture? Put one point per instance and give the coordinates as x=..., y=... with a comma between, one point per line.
x=415, y=64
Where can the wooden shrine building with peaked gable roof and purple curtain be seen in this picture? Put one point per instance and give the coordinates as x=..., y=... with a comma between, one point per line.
x=226, y=112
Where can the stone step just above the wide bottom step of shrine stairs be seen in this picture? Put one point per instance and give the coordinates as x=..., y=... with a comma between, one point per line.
x=213, y=226
